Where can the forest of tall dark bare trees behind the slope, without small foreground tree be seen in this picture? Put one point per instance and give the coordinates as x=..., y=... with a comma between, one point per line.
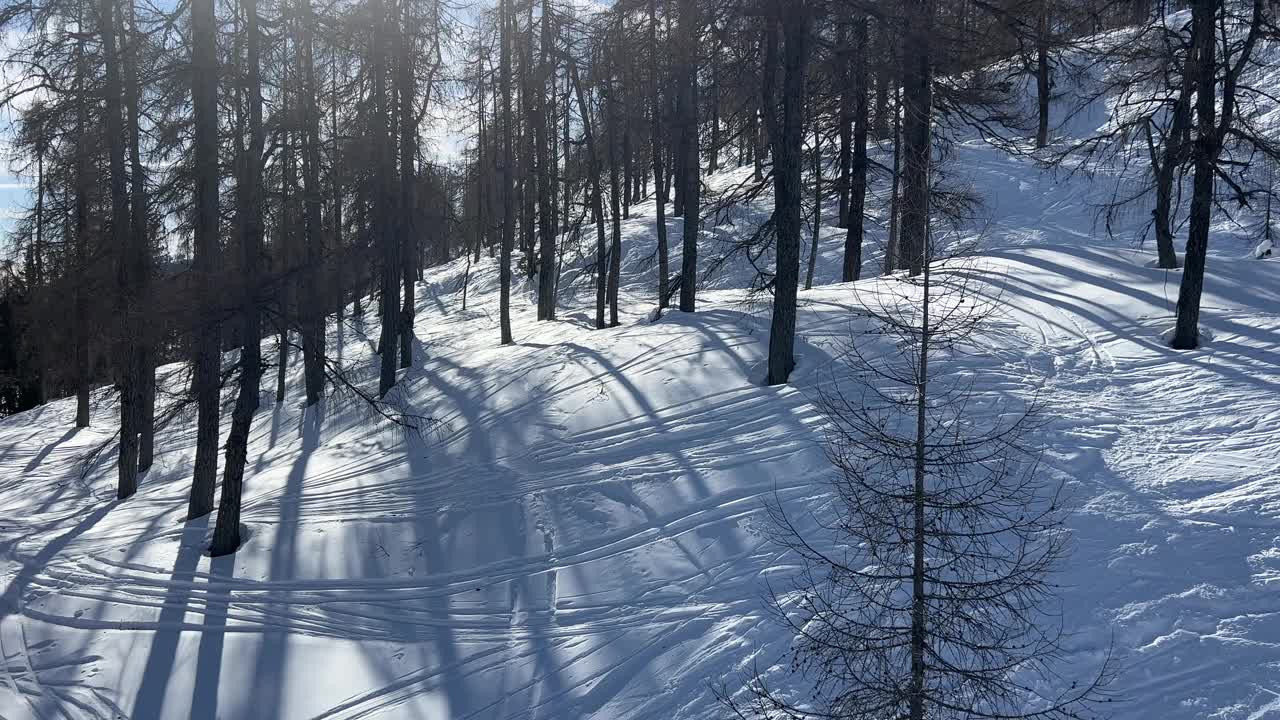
x=236, y=174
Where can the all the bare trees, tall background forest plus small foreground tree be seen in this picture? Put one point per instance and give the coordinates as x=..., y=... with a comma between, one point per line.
x=221, y=186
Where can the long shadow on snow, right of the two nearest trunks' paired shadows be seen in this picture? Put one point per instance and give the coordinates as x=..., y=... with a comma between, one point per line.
x=269, y=667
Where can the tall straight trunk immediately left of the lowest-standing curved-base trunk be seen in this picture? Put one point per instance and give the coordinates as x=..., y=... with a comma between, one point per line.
x=204, y=66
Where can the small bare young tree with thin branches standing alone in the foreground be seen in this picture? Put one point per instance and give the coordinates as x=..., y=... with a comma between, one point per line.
x=924, y=594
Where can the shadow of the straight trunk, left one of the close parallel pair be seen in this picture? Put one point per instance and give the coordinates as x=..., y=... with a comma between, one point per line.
x=149, y=700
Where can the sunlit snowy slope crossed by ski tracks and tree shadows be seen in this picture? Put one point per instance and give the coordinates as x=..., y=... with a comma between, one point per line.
x=584, y=535
